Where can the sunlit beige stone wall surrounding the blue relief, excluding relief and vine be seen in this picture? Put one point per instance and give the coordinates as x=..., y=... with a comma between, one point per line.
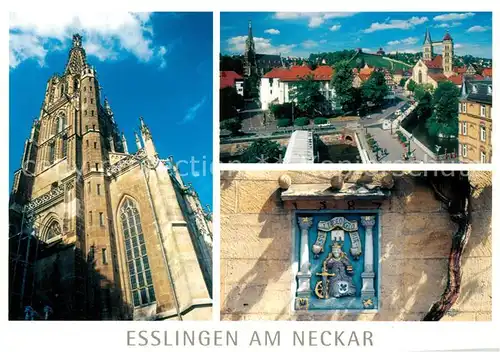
x=256, y=250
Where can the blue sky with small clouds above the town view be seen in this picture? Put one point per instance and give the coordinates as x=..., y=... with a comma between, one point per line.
x=302, y=33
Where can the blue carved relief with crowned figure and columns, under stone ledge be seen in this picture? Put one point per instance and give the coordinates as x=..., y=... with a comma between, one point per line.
x=336, y=236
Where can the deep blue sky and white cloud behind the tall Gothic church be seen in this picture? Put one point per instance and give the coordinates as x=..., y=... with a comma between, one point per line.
x=155, y=65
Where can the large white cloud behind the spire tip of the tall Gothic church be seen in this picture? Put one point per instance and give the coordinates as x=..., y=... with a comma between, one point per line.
x=105, y=35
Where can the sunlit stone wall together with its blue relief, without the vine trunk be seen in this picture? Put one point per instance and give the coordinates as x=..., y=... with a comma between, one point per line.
x=326, y=245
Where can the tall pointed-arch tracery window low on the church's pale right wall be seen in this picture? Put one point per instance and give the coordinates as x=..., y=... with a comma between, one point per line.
x=141, y=281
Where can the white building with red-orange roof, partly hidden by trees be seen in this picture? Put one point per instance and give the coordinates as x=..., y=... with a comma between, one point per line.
x=276, y=85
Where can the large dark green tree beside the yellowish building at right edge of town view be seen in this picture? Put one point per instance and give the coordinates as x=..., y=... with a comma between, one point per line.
x=444, y=120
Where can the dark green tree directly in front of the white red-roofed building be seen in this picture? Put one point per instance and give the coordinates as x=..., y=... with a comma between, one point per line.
x=308, y=97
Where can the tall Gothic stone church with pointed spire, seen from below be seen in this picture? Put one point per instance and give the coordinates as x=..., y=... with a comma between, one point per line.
x=98, y=231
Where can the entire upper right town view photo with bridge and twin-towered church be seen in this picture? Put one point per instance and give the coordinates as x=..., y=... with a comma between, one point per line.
x=409, y=87
